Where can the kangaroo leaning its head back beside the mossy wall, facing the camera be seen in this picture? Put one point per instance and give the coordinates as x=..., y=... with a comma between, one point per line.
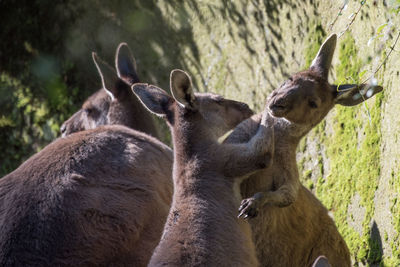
x=292, y=227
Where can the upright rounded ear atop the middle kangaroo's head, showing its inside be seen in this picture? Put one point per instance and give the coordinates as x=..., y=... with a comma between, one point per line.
x=181, y=89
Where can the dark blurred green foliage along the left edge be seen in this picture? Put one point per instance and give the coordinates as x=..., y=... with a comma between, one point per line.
x=37, y=84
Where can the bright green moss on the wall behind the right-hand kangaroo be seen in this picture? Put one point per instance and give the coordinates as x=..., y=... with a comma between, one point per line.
x=354, y=160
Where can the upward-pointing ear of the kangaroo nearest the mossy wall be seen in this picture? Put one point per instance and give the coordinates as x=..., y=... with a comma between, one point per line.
x=322, y=62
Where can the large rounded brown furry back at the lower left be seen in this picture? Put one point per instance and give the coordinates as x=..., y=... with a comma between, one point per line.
x=87, y=200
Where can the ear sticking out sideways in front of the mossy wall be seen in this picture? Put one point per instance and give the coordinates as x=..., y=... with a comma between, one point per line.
x=353, y=94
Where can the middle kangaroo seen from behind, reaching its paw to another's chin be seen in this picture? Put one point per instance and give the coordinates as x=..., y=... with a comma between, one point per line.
x=202, y=228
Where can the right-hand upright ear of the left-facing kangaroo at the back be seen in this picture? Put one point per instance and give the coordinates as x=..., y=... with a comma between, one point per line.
x=125, y=64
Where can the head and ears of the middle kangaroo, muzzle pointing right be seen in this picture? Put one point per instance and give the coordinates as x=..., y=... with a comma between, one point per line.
x=212, y=114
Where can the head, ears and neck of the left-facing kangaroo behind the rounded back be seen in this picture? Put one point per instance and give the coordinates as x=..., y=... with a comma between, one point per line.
x=114, y=103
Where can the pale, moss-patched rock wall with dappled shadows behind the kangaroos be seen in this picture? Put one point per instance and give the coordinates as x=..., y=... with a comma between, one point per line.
x=244, y=49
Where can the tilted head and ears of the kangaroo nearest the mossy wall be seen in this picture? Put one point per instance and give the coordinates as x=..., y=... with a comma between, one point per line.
x=306, y=97
